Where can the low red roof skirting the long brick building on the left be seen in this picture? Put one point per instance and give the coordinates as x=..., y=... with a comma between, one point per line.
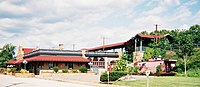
x=51, y=59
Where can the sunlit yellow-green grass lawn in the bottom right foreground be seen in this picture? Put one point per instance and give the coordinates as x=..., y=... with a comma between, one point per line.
x=163, y=82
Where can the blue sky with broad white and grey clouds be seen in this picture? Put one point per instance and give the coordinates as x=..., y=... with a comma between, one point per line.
x=47, y=23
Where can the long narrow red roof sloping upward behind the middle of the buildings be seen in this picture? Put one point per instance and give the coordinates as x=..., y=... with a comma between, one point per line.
x=106, y=46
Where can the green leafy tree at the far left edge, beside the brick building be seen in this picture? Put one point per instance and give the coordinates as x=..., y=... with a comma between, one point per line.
x=6, y=54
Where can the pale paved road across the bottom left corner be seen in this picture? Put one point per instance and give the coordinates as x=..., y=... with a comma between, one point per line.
x=11, y=81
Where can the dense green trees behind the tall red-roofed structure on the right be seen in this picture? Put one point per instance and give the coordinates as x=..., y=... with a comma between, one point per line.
x=183, y=47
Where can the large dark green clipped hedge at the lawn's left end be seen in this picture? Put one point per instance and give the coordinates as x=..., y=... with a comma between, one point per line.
x=113, y=76
